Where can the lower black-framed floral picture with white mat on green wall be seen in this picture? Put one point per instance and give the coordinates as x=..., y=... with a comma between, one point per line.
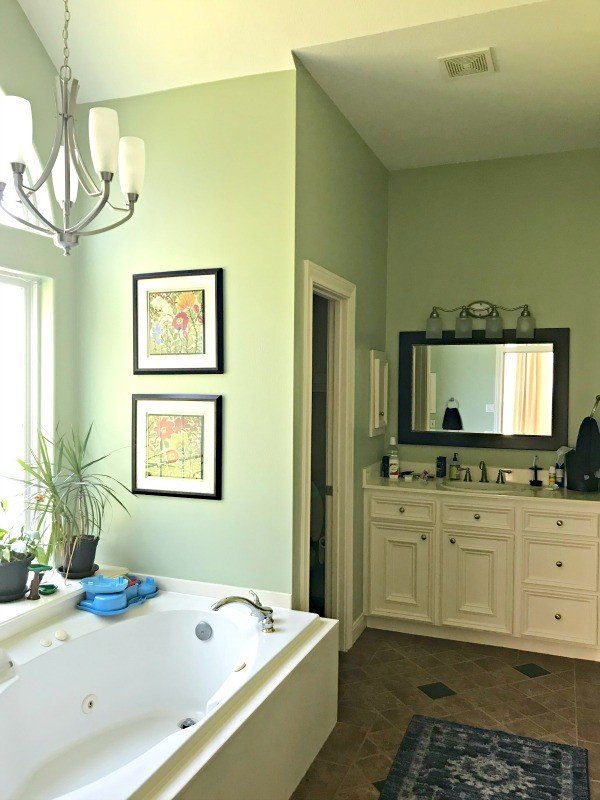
x=177, y=445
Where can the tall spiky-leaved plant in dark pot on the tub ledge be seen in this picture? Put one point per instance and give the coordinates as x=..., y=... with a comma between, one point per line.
x=69, y=498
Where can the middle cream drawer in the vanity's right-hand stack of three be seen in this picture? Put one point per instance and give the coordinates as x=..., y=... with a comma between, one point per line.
x=568, y=564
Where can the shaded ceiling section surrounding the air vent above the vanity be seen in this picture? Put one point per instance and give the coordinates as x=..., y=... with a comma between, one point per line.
x=544, y=98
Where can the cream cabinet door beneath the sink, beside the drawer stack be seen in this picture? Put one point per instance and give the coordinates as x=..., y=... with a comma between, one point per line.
x=477, y=580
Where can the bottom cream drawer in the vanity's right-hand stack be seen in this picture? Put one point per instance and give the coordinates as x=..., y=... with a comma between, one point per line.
x=559, y=616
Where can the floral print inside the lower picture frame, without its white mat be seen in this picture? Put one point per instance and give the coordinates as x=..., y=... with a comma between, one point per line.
x=175, y=446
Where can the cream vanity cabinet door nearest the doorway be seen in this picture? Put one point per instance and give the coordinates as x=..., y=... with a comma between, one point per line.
x=401, y=583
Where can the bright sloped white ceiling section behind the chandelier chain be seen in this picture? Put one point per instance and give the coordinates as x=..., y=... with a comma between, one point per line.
x=127, y=47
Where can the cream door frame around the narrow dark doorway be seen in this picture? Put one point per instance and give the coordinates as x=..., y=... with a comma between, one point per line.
x=342, y=294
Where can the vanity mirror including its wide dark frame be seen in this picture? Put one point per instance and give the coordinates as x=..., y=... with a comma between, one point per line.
x=503, y=393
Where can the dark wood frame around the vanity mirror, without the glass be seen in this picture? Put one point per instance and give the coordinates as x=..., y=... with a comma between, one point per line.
x=559, y=337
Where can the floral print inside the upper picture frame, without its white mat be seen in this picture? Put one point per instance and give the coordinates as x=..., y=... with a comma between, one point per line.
x=176, y=323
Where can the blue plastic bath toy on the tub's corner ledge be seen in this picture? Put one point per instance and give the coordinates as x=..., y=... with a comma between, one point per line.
x=108, y=597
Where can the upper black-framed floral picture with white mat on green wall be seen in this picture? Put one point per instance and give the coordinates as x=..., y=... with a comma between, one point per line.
x=178, y=322
